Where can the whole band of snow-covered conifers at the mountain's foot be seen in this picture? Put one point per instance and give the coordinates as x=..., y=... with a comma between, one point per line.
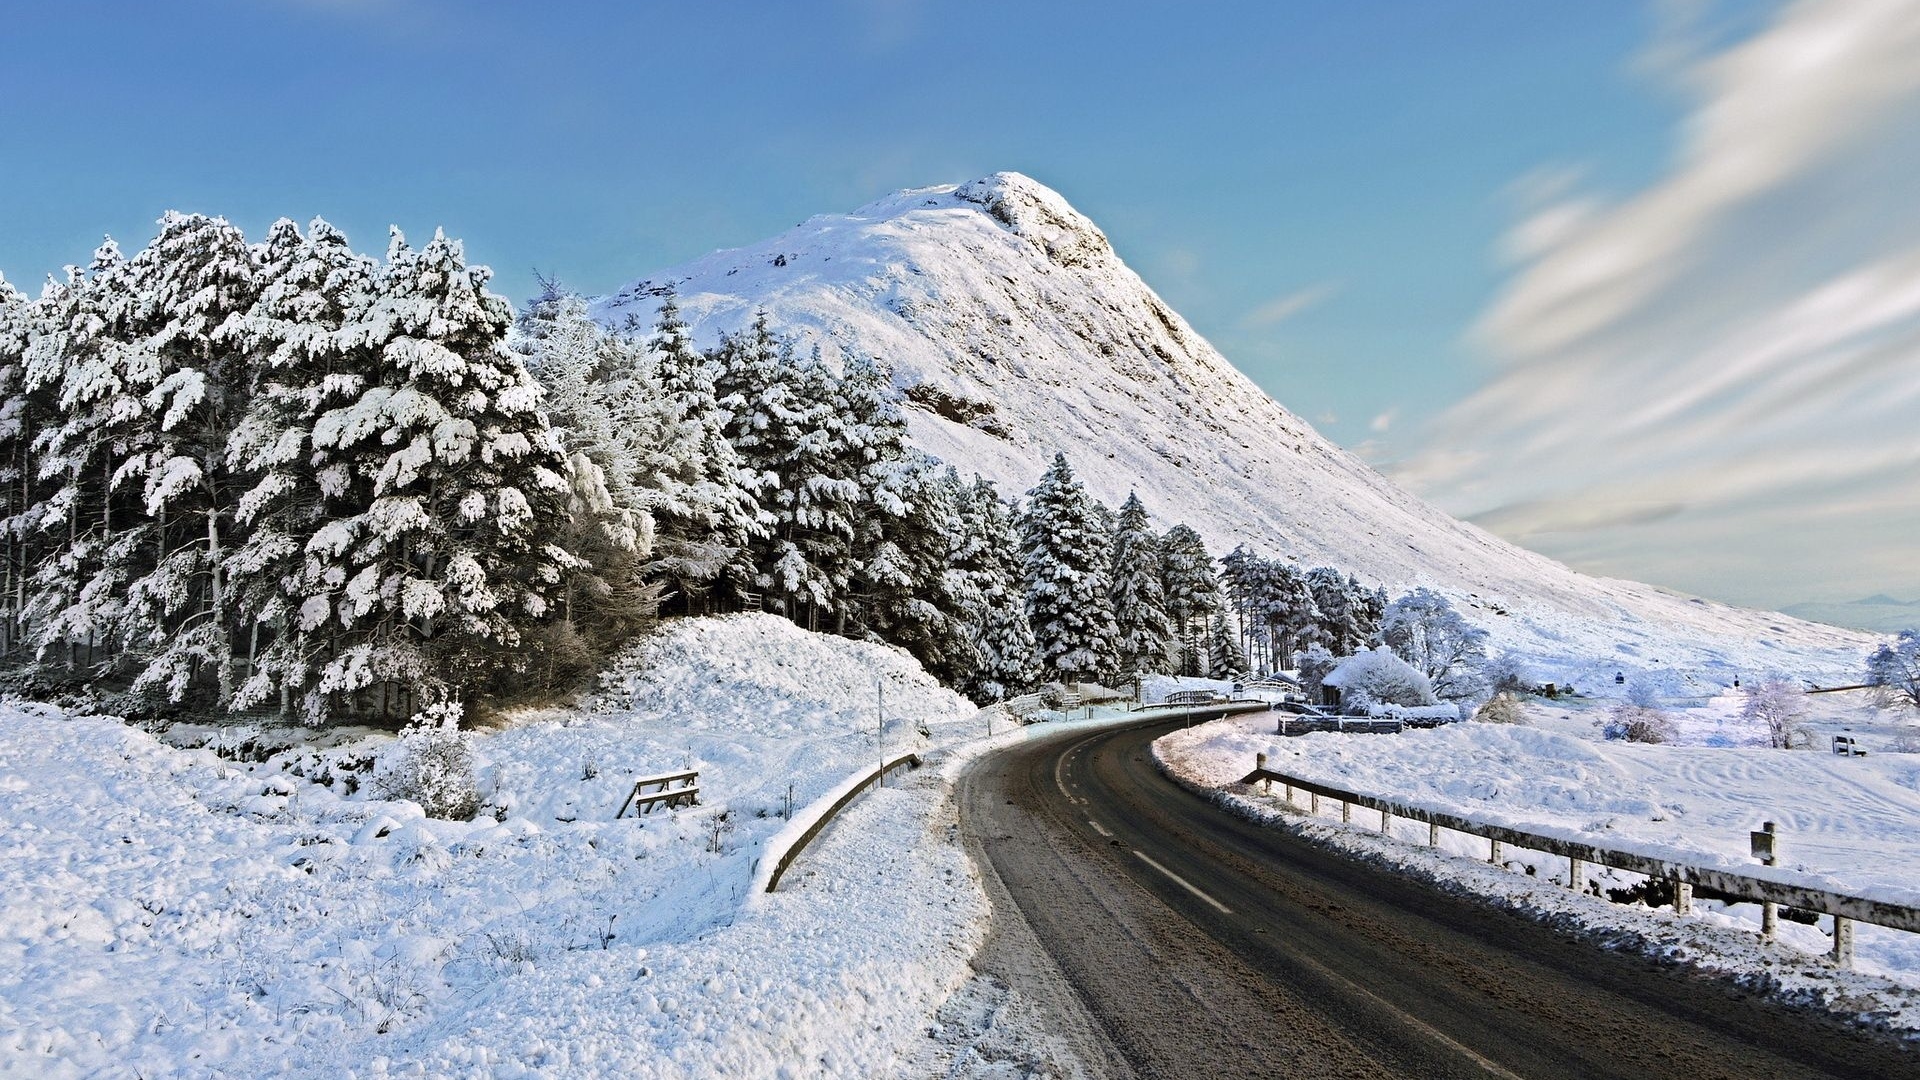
x=291, y=478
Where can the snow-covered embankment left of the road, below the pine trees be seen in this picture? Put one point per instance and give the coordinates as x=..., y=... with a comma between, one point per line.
x=172, y=914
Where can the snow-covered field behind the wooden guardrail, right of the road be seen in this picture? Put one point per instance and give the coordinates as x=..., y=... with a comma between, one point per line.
x=1854, y=823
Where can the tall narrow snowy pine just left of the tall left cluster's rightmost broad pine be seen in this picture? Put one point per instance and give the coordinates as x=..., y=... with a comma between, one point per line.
x=308, y=355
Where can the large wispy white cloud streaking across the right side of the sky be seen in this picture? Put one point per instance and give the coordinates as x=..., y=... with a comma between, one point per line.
x=1729, y=358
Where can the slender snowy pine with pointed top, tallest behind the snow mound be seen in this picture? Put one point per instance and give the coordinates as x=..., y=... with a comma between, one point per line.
x=706, y=520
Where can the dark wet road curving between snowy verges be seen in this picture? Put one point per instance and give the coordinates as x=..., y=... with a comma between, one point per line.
x=1180, y=941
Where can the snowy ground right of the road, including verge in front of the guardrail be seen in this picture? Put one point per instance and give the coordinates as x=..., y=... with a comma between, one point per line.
x=1854, y=823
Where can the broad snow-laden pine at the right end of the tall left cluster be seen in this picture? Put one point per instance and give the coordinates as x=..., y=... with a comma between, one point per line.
x=446, y=564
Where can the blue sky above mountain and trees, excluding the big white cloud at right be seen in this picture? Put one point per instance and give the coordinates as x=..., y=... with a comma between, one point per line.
x=1339, y=195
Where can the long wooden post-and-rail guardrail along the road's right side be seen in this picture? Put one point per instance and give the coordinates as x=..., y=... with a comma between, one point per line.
x=1769, y=887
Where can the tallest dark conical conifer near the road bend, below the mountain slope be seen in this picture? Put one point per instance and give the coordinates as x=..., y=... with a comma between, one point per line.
x=1065, y=554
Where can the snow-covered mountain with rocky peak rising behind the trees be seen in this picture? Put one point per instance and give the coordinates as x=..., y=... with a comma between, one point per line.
x=1017, y=331
